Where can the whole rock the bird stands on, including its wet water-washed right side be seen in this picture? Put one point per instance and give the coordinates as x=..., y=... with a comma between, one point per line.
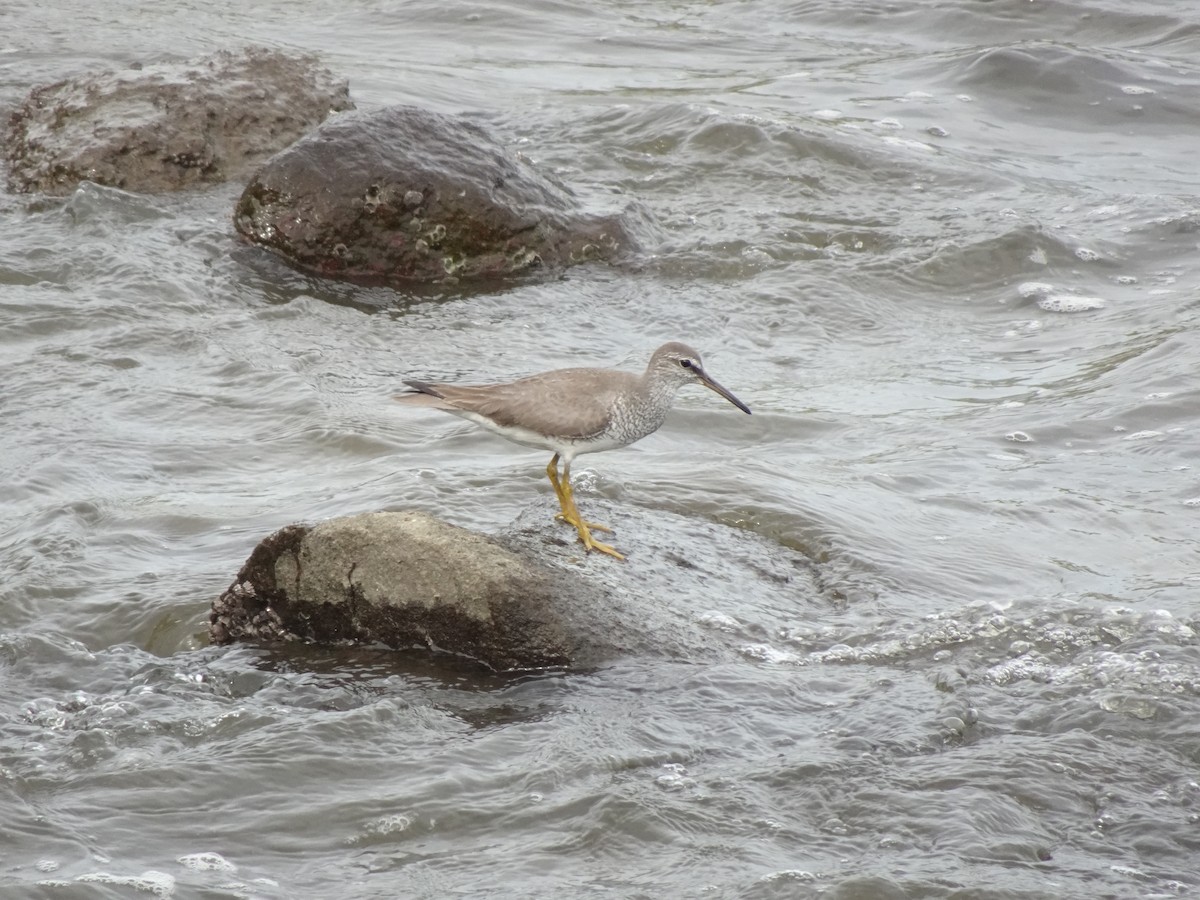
x=531, y=599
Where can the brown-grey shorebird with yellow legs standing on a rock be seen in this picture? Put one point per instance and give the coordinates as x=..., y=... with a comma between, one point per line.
x=573, y=412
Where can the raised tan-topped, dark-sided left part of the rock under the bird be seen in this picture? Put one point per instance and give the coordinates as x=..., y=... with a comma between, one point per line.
x=401, y=579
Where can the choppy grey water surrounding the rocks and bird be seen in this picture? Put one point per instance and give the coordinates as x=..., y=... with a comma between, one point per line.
x=947, y=251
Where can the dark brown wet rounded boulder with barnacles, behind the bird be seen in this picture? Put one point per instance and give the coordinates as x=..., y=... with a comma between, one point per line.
x=405, y=194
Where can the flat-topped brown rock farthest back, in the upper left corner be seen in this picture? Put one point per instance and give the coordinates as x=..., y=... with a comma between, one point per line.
x=169, y=127
